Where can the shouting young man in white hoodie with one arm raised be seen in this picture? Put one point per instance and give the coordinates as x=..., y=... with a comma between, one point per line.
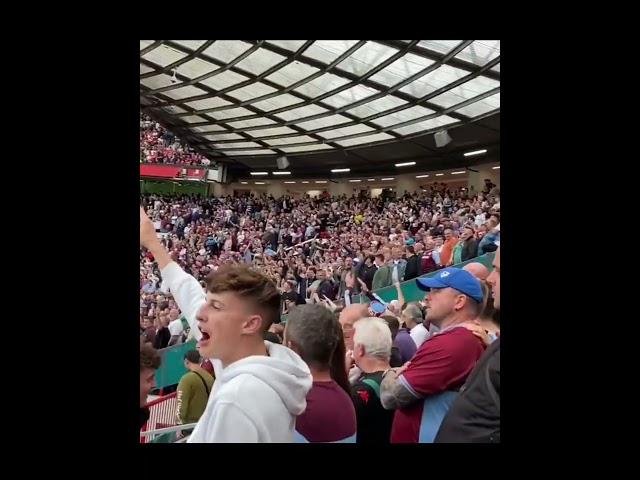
x=260, y=387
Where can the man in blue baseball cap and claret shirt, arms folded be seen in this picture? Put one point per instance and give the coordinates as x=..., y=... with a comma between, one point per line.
x=423, y=389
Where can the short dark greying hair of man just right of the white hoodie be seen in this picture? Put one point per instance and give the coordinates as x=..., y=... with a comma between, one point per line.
x=315, y=331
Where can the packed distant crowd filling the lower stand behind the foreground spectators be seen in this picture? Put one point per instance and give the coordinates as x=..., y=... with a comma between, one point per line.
x=320, y=250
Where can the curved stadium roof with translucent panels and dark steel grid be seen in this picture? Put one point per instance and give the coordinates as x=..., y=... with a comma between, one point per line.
x=324, y=104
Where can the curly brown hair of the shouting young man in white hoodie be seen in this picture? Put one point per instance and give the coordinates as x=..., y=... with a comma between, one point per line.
x=251, y=286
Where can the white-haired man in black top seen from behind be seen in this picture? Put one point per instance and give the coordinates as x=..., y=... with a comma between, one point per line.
x=371, y=353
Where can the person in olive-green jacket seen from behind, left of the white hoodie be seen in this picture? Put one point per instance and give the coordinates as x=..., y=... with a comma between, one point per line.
x=193, y=390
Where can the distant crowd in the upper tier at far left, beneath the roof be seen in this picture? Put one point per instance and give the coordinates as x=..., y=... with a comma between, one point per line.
x=158, y=145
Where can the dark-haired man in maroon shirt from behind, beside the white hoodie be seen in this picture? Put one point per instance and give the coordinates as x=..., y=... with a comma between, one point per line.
x=314, y=333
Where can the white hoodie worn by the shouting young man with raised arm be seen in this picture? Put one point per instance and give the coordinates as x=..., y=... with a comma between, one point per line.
x=255, y=399
